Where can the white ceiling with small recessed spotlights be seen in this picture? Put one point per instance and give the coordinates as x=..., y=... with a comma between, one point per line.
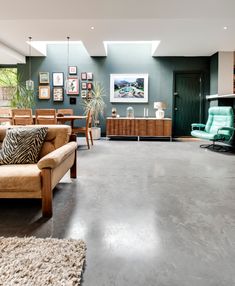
x=184, y=27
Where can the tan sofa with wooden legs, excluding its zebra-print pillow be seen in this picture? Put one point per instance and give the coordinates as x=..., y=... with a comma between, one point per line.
x=56, y=157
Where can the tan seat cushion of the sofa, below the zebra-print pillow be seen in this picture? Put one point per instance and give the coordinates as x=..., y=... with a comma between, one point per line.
x=20, y=178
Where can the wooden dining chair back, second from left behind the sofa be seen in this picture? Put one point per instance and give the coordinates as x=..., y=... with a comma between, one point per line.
x=22, y=116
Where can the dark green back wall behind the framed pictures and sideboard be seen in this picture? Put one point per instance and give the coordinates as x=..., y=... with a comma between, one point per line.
x=120, y=59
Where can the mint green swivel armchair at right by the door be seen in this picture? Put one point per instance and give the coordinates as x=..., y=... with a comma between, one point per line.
x=219, y=127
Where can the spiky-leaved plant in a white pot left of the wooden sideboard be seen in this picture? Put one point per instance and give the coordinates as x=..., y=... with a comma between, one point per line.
x=96, y=105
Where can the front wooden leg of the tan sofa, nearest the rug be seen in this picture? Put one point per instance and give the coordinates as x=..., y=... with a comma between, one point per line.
x=46, y=193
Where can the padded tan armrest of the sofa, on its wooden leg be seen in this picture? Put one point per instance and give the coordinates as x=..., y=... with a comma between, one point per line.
x=53, y=159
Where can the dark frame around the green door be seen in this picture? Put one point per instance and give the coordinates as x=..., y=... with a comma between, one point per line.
x=201, y=74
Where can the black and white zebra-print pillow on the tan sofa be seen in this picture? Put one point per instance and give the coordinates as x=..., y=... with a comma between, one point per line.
x=22, y=145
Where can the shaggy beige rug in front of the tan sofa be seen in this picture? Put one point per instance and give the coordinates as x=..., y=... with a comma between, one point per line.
x=41, y=261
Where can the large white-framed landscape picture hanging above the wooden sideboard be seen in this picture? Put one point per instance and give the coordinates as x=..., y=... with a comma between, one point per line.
x=129, y=88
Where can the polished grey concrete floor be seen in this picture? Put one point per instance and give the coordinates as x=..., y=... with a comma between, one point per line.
x=152, y=213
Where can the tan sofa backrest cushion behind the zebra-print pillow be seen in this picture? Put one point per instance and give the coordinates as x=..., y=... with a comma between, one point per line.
x=57, y=136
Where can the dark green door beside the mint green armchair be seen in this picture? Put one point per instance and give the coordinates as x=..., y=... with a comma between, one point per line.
x=187, y=102
